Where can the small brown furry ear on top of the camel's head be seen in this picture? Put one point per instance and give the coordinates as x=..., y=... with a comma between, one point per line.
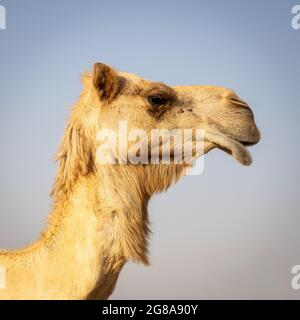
x=106, y=82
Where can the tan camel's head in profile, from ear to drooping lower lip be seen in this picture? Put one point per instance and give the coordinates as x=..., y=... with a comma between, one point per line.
x=227, y=121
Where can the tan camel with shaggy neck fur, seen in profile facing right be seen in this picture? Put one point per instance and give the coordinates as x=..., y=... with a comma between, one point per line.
x=99, y=218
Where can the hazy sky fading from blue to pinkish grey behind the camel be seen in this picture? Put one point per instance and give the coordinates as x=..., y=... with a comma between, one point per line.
x=234, y=231
